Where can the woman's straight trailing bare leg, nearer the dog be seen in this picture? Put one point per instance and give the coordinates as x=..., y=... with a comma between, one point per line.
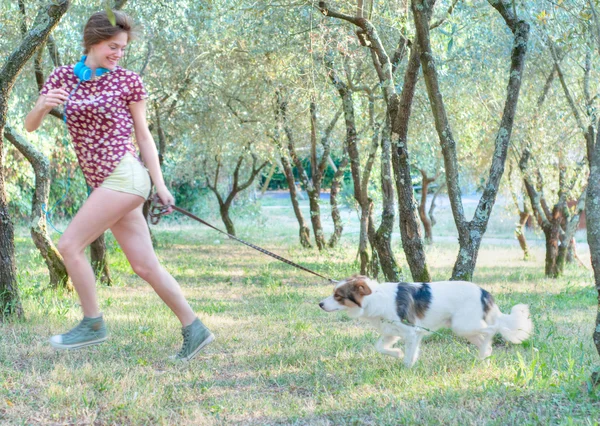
x=132, y=234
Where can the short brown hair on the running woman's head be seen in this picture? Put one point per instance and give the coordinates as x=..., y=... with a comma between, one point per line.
x=98, y=28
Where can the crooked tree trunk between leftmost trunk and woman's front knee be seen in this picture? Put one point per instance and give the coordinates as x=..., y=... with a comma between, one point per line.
x=37, y=224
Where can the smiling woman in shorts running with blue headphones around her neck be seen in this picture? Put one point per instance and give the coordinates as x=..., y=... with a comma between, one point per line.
x=103, y=104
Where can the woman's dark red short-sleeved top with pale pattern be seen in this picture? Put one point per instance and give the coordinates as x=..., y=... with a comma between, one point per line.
x=98, y=117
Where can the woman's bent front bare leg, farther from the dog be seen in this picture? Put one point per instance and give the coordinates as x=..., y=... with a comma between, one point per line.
x=100, y=211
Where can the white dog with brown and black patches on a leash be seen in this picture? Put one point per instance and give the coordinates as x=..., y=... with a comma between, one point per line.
x=413, y=310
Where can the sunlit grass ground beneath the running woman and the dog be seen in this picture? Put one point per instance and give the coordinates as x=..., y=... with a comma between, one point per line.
x=279, y=359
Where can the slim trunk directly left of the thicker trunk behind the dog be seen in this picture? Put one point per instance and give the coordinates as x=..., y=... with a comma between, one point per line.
x=382, y=241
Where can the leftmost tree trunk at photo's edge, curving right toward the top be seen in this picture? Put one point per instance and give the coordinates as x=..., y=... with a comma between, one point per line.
x=45, y=21
